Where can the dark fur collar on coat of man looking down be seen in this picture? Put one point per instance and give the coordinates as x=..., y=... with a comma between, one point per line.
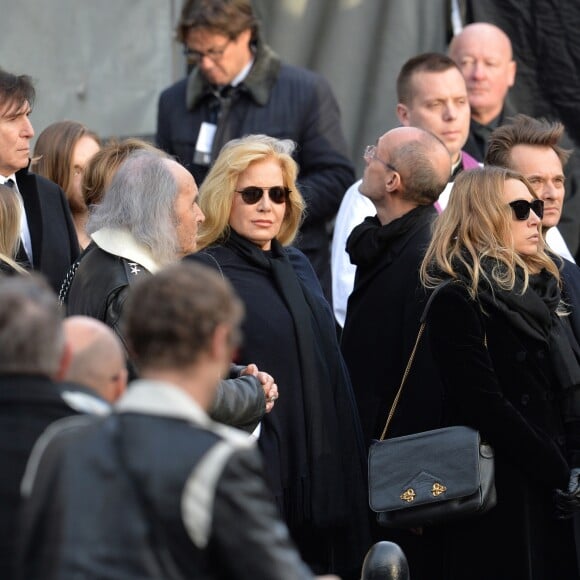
x=258, y=84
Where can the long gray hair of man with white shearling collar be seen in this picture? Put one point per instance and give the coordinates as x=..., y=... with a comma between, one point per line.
x=141, y=199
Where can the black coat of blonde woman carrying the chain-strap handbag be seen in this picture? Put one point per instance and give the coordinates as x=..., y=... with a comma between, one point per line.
x=508, y=391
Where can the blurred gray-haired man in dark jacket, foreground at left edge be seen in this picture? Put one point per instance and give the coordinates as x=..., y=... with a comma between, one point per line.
x=33, y=357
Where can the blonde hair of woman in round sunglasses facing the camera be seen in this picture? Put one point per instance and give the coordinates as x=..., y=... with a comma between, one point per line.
x=216, y=194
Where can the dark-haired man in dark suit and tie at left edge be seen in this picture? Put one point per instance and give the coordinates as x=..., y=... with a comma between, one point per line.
x=48, y=238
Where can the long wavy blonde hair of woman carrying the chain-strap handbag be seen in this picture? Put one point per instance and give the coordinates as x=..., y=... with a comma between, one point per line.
x=476, y=224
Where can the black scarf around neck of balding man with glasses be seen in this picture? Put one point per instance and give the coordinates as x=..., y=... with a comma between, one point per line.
x=370, y=239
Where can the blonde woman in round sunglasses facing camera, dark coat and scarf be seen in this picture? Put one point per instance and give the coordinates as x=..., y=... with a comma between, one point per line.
x=311, y=441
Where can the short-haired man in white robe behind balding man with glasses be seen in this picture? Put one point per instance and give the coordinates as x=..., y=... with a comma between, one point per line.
x=431, y=95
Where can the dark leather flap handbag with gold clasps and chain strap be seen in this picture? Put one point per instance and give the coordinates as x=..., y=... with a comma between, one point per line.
x=431, y=477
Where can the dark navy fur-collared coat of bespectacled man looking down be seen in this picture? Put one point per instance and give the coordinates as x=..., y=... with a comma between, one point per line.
x=282, y=101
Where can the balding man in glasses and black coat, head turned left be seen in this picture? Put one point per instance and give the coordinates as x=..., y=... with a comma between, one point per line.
x=405, y=173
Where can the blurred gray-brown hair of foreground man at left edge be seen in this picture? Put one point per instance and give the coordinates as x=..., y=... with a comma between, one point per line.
x=31, y=333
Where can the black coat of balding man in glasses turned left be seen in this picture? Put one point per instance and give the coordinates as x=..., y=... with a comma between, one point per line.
x=381, y=326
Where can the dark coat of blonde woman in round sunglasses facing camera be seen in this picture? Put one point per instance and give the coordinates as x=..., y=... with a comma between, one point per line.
x=292, y=431
